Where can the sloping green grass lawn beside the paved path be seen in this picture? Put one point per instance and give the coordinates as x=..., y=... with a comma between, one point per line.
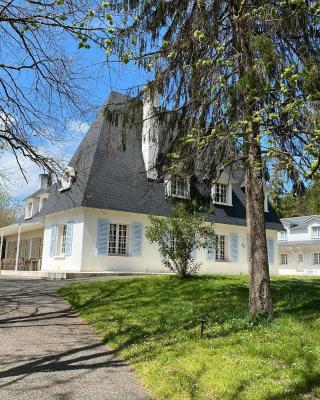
x=154, y=324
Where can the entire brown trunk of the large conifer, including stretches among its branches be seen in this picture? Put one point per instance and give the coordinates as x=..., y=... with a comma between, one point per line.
x=260, y=302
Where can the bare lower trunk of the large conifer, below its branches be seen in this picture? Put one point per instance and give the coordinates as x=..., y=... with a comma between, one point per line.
x=260, y=302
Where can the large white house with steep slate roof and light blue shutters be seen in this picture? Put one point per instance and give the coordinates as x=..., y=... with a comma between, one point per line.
x=94, y=219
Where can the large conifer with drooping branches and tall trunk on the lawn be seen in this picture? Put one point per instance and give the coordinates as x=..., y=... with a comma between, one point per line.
x=242, y=74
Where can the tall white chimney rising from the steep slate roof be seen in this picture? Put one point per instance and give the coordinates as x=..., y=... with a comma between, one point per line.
x=150, y=134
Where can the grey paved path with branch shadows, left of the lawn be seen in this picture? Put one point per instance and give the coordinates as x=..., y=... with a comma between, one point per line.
x=47, y=352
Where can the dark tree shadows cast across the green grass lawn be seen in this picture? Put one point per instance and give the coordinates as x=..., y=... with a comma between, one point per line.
x=224, y=303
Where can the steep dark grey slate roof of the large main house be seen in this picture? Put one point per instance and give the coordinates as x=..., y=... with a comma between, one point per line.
x=109, y=177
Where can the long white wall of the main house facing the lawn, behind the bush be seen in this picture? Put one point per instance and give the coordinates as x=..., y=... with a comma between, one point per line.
x=150, y=259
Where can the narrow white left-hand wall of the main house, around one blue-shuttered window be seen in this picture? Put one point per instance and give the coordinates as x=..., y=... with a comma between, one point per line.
x=58, y=262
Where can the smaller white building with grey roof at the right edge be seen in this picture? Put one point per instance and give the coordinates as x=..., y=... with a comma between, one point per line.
x=299, y=246
